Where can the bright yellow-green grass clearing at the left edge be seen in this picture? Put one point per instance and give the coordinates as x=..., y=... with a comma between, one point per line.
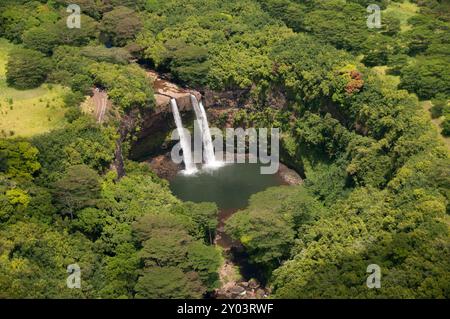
x=26, y=113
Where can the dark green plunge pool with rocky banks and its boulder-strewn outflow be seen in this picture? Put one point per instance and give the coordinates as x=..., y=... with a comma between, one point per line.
x=230, y=190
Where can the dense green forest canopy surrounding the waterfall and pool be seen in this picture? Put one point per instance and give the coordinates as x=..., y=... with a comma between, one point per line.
x=376, y=168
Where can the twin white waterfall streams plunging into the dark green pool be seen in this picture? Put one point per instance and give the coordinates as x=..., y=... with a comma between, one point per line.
x=202, y=120
